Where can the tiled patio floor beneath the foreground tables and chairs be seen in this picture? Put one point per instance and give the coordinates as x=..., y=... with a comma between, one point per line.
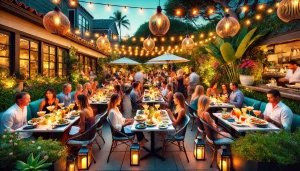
x=175, y=159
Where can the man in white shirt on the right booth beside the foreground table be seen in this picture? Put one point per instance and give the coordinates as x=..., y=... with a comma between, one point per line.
x=277, y=112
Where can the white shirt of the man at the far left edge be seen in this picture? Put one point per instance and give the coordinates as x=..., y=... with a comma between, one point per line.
x=14, y=118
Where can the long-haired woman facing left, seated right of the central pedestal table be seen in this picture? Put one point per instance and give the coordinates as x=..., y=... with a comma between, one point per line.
x=179, y=113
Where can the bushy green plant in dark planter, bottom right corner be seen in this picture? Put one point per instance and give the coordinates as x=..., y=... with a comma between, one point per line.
x=272, y=151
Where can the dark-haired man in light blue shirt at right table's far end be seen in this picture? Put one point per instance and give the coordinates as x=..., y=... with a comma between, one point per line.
x=236, y=97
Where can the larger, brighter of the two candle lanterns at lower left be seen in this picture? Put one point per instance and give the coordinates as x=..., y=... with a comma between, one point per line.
x=84, y=158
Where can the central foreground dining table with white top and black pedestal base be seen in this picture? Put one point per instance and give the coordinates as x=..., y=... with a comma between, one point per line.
x=153, y=129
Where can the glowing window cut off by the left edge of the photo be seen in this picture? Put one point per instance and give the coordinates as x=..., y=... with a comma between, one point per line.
x=4, y=55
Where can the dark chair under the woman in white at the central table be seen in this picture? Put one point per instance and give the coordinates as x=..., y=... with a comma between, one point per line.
x=118, y=140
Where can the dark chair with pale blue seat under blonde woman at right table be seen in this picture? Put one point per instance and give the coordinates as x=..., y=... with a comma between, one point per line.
x=213, y=142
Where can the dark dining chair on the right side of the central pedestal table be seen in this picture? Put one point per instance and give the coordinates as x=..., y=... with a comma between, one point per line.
x=177, y=138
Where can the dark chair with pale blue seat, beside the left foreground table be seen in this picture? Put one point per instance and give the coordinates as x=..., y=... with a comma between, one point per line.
x=76, y=142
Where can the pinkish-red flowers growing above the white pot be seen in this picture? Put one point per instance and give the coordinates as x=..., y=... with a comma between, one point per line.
x=247, y=67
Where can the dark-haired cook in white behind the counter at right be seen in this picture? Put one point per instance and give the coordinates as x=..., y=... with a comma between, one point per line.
x=292, y=74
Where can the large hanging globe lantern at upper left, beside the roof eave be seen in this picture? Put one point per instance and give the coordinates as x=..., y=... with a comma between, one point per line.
x=56, y=22
